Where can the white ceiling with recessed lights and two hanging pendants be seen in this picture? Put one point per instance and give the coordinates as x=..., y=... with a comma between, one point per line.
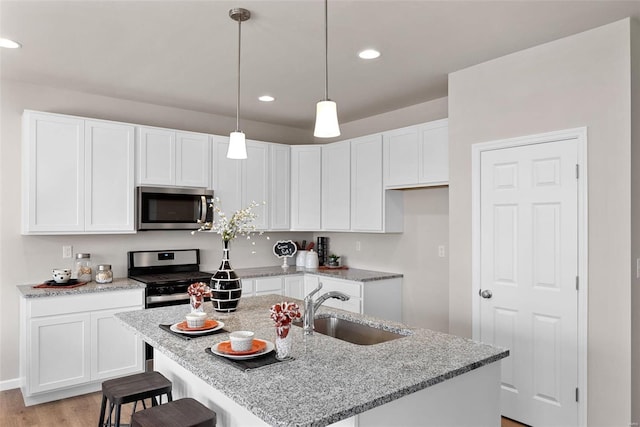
x=183, y=53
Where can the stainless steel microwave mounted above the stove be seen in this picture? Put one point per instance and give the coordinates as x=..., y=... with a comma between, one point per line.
x=173, y=208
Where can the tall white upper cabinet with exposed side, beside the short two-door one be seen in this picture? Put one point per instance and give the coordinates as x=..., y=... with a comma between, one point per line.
x=373, y=209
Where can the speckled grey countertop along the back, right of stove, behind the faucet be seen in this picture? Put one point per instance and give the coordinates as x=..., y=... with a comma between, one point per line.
x=347, y=274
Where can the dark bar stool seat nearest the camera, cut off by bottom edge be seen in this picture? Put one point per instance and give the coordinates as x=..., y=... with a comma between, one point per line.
x=185, y=412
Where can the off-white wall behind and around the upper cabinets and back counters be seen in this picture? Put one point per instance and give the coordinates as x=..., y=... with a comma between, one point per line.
x=28, y=259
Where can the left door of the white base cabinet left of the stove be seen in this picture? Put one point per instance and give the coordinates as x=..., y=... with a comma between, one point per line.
x=59, y=352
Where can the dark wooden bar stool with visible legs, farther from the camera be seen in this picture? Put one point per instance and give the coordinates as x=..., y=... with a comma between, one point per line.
x=120, y=391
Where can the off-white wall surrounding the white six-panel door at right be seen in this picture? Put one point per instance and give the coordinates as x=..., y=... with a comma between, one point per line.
x=582, y=80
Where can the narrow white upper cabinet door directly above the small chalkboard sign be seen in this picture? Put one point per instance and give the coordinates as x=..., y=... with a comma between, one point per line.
x=280, y=184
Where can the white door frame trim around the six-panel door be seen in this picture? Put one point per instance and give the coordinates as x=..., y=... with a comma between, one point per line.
x=580, y=135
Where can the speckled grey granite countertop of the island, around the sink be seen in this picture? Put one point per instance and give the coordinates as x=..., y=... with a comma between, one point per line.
x=329, y=379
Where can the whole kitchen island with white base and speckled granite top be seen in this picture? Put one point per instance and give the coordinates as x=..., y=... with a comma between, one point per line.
x=423, y=378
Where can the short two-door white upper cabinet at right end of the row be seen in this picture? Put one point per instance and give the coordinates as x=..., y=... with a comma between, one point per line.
x=417, y=156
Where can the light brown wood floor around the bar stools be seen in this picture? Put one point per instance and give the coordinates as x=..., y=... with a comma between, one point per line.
x=80, y=411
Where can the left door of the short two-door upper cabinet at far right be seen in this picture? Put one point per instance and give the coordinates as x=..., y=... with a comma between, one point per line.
x=401, y=157
